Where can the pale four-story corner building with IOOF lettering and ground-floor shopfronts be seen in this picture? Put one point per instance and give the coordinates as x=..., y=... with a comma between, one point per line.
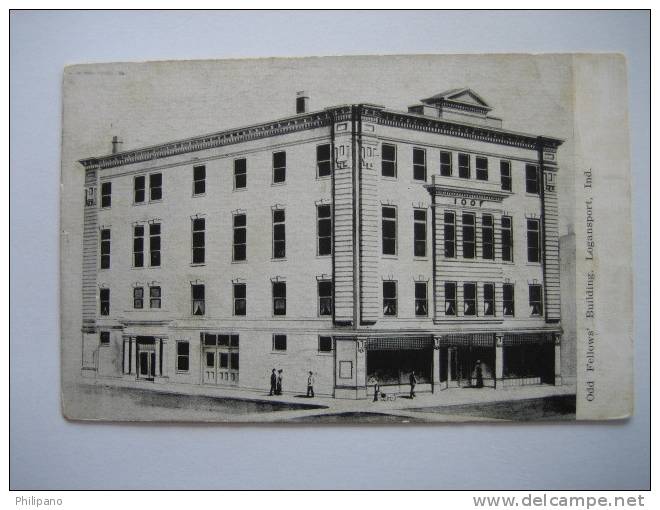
x=357, y=242
